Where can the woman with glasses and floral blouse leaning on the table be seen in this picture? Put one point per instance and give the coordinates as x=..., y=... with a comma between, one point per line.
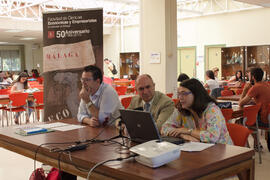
x=197, y=118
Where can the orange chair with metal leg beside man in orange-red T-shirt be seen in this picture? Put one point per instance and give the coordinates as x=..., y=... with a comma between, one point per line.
x=250, y=121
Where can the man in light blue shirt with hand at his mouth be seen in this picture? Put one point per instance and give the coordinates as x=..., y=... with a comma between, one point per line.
x=99, y=101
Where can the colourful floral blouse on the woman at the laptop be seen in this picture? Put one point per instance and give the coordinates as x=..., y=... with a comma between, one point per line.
x=212, y=127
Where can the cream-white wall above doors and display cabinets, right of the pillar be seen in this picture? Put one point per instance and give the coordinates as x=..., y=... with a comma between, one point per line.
x=233, y=29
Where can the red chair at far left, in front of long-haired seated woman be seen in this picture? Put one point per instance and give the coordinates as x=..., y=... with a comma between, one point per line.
x=16, y=103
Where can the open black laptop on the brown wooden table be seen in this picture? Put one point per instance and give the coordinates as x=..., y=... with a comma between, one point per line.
x=142, y=127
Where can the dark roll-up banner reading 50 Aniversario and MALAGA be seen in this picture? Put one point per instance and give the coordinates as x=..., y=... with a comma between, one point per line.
x=72, y=40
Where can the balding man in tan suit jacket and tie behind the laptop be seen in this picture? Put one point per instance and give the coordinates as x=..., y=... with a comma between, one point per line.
x=160, y=105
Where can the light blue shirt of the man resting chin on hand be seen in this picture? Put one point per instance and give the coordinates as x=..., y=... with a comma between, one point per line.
x=106, y=100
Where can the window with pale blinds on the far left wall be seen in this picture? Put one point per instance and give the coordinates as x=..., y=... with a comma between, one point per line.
x=10, y=60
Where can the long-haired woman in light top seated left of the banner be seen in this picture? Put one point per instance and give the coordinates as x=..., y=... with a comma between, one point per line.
x=20, y=84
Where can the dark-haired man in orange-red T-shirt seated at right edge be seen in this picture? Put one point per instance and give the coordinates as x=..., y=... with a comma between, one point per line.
x=259, y=91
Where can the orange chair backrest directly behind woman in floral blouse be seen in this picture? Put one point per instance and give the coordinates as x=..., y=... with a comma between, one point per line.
x=238, y=133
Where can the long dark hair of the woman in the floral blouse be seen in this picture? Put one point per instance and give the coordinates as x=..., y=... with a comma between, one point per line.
x=201, y=96
